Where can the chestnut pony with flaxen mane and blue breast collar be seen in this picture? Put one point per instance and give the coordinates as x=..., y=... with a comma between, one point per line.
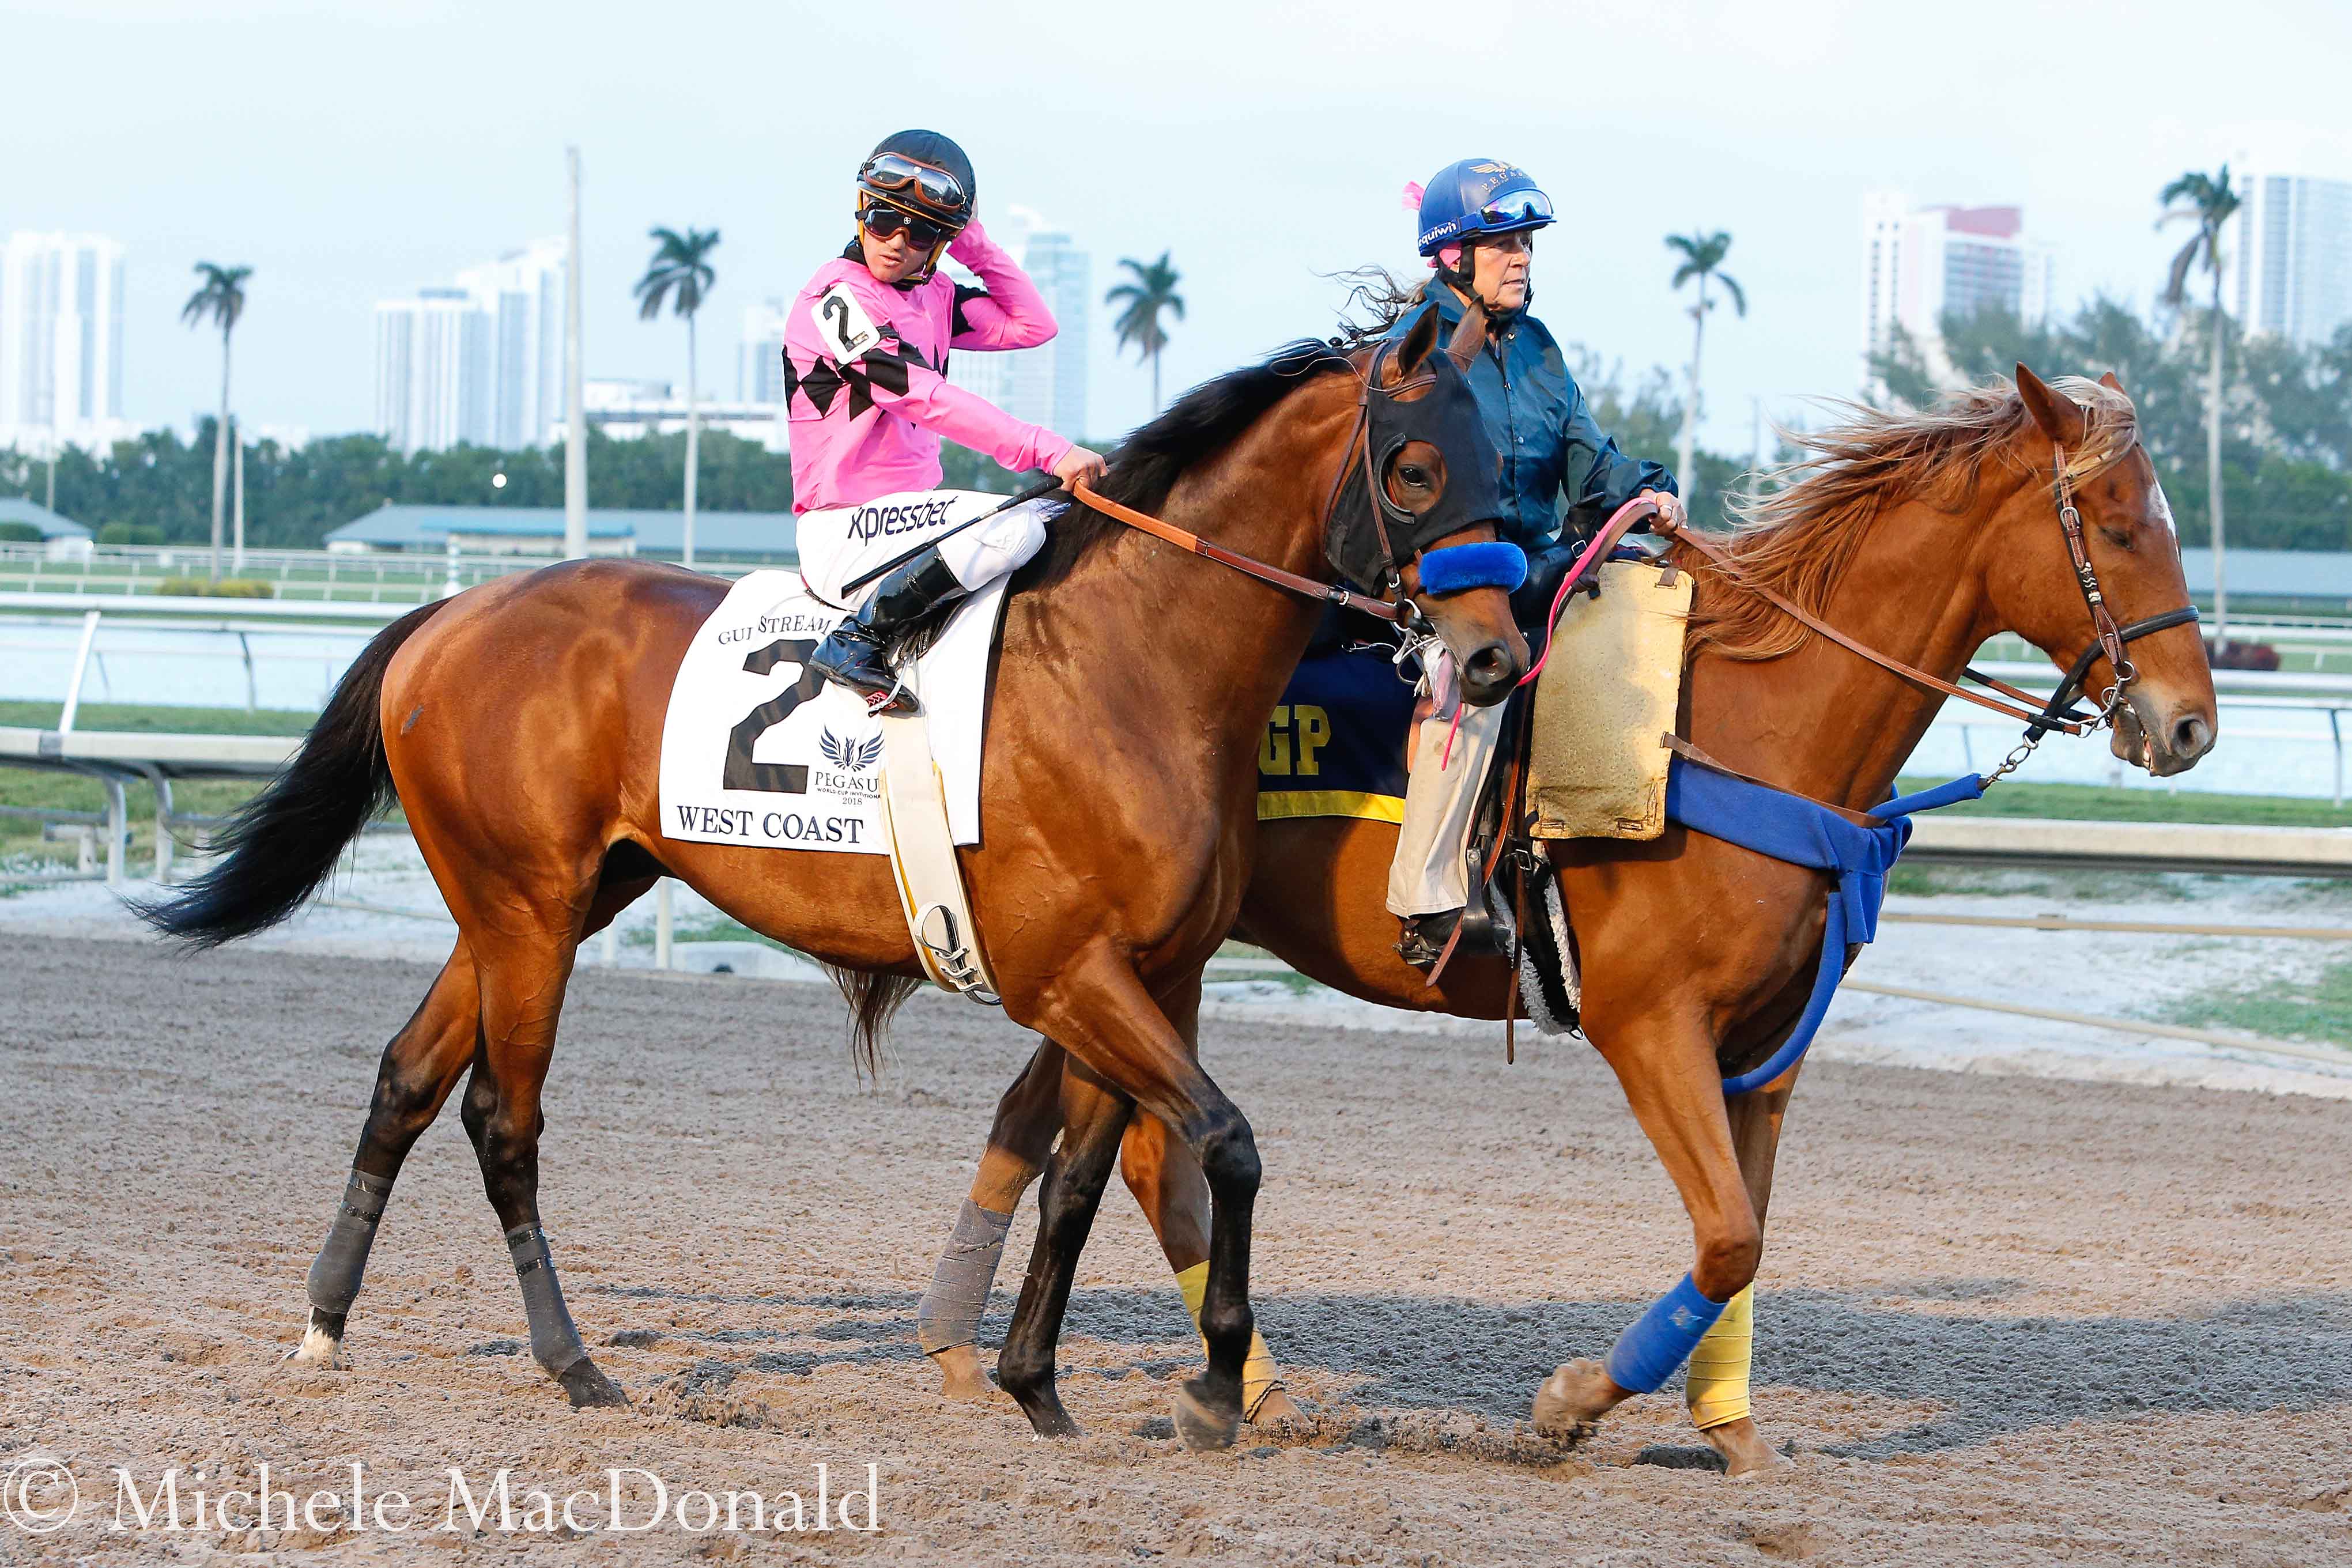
x=1918, y=537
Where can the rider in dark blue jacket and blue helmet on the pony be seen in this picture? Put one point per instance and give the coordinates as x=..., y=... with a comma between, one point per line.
x=1478, y=232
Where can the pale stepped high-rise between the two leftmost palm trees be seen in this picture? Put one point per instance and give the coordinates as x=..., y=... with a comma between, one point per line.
x=481, y=361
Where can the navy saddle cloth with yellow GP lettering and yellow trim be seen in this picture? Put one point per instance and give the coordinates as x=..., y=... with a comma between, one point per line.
x=1337, y=742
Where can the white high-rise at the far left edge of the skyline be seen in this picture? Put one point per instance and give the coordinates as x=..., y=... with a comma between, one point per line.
x=60, y=342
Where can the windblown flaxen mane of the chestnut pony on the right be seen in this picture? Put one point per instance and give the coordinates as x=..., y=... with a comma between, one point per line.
x=1805, y=523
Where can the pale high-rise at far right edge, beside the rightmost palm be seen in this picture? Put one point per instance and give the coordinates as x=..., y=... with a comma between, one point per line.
x=2290, y=257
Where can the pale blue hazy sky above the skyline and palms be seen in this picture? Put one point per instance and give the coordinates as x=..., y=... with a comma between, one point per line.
x=359, y=152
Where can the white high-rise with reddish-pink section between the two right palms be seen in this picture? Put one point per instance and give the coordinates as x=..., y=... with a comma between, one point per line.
x=1923, y=264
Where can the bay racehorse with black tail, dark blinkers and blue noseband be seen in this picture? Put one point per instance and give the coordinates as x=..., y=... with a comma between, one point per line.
x=521, y=728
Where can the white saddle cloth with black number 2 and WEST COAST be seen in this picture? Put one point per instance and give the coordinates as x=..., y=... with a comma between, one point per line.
x=759, y=751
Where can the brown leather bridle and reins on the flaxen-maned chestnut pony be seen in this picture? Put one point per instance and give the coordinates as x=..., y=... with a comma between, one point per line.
x=2059, y=713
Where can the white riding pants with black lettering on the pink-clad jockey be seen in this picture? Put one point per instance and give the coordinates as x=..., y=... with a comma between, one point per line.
x=843, y=544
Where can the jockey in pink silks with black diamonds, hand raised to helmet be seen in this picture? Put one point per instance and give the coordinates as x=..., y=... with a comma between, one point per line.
x=869, y=396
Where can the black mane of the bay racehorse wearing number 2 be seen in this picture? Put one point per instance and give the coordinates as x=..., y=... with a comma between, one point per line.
x=1194, y=429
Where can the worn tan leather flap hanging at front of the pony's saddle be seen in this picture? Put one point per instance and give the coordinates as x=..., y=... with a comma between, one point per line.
x=1605, y=706
